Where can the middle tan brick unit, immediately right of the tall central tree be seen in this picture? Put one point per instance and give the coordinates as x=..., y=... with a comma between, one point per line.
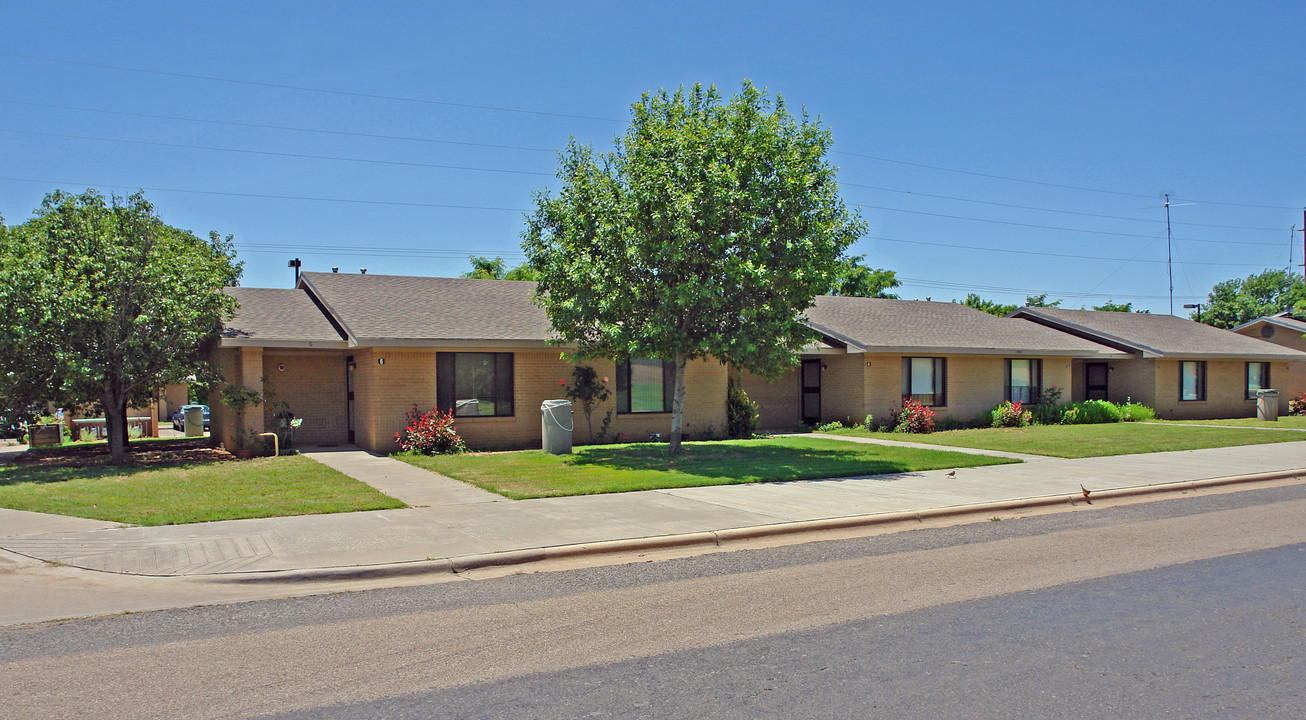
x=874, y=353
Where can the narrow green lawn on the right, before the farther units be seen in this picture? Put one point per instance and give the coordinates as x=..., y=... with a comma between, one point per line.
x=1092, y=441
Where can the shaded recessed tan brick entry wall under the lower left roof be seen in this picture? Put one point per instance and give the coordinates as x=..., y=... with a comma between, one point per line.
x=313, y=384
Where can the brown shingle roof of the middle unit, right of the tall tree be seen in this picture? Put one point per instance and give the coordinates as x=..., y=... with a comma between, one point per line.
x=891, y=326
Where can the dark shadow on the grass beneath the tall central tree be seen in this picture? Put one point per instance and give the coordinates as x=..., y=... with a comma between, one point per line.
x=766, y=462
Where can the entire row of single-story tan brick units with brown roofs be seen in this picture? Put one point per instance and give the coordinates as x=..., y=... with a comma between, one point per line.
x=353, y=353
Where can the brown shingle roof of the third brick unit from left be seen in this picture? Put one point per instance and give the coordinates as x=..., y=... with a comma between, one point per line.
x=1156, y=335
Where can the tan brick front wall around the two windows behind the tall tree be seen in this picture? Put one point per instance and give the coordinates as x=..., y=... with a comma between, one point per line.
x=385, y=394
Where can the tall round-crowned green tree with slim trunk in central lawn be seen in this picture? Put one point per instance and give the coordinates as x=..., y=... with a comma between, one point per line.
x=706, y=232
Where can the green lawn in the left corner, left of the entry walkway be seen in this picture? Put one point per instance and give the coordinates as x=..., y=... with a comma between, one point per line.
x=189, y=493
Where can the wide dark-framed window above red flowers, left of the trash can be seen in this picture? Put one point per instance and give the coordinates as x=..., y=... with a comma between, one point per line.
x=475, y=385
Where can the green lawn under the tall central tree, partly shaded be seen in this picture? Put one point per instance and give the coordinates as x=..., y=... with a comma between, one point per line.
x=621, y=468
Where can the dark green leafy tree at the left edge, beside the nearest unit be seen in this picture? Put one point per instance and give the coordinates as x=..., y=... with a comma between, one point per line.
x=113, y=303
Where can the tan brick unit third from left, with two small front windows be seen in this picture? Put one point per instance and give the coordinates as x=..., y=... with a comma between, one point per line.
x=1177, y=367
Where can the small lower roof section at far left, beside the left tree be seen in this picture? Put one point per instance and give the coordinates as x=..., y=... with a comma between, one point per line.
x=278, y=316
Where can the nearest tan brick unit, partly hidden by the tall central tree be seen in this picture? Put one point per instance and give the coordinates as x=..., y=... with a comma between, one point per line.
x=353, y=353
